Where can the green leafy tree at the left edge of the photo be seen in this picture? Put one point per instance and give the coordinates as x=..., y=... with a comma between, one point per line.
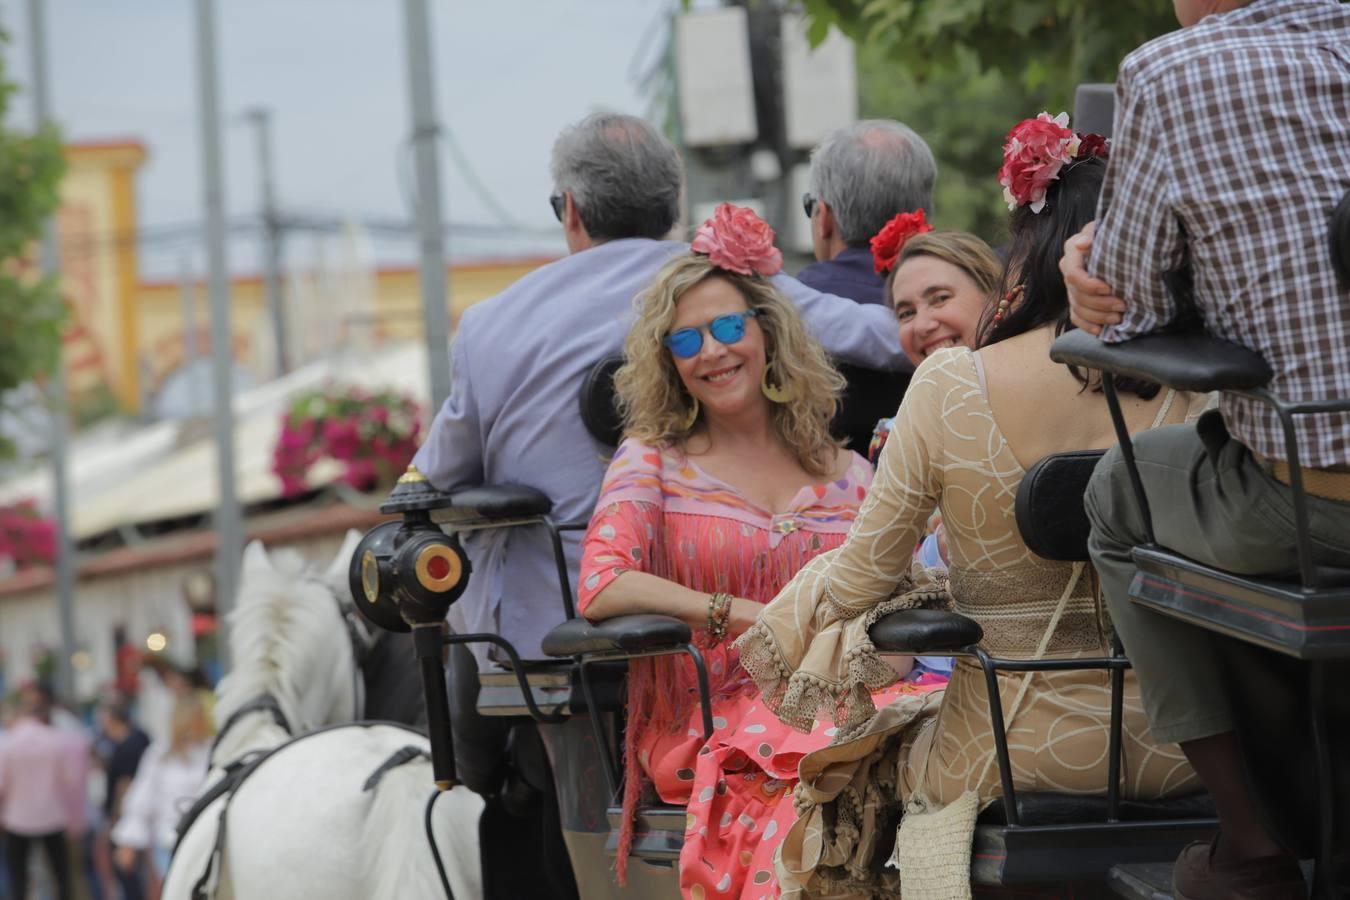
x=32, y=312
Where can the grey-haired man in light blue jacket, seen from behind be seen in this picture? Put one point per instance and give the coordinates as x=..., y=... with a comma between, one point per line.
x=519, y=362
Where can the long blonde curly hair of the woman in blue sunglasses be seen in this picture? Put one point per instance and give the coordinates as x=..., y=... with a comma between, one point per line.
x=655, y=404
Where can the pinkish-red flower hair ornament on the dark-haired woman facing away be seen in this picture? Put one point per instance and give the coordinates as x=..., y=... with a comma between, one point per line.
x=1035, y=154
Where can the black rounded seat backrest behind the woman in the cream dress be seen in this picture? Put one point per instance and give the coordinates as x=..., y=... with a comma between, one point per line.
x=1050, y=507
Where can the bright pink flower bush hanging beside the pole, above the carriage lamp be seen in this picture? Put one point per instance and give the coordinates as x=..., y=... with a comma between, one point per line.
x=375, y=435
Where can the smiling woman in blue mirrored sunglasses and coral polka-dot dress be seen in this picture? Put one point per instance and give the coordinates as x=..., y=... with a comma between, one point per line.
x=727, y=485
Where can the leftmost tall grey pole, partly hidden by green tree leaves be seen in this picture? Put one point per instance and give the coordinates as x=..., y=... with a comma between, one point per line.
x=51, y=264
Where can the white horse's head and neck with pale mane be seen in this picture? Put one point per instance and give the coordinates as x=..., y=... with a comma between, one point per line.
x=295, y=638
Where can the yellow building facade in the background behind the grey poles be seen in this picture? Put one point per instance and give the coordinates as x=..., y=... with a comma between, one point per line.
x=128, y=335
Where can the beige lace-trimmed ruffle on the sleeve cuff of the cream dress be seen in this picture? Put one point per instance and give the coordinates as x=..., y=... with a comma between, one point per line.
x=800, y=698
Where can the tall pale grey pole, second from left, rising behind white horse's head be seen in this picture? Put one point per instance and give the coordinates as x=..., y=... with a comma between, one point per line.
x=229, y=527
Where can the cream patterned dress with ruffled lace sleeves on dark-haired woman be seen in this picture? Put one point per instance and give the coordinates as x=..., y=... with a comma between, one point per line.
x=811, y=651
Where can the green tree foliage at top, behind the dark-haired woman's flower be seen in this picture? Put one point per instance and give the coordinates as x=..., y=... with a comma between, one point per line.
x=963, y=72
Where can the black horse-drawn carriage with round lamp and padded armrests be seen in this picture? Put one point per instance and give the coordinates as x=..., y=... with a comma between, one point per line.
x=1290, y=638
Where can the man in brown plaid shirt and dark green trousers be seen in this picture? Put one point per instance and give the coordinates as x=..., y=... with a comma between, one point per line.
x=1232, y=149
